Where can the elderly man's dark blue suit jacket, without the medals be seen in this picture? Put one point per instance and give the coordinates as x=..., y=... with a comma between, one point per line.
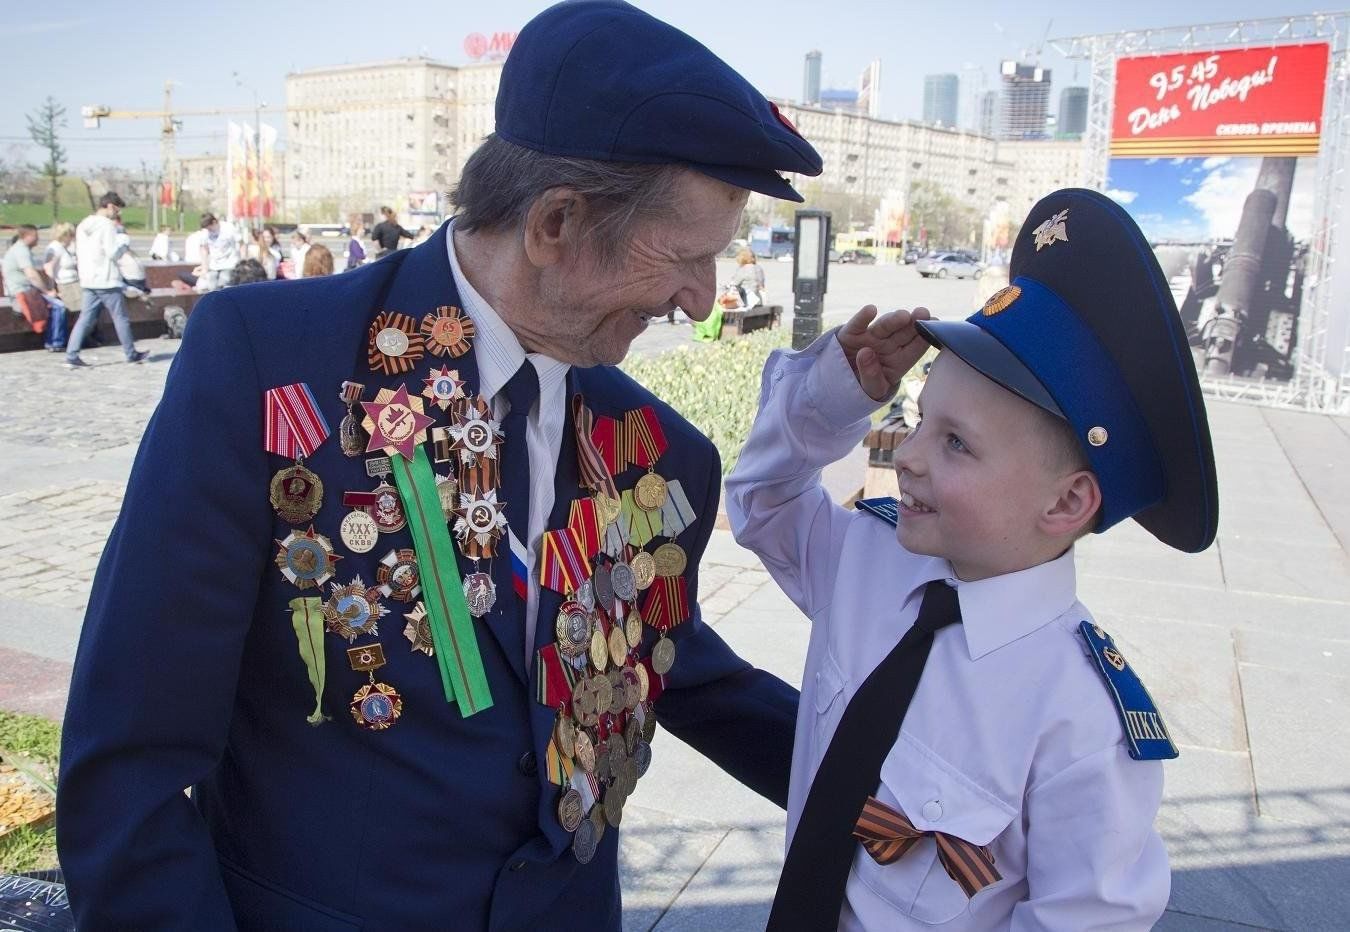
x=188, y=673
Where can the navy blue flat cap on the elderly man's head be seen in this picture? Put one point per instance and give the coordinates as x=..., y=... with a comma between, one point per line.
x=604, y=80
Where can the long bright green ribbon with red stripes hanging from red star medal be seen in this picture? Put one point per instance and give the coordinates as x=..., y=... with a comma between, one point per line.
x=443, y=592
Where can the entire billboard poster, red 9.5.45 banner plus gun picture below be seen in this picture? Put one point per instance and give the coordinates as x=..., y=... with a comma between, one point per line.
x=1214, y=153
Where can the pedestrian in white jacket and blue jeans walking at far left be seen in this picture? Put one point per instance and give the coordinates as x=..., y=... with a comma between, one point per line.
x=97, y=256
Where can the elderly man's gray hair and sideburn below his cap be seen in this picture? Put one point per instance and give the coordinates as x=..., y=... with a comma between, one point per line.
x=502, y=182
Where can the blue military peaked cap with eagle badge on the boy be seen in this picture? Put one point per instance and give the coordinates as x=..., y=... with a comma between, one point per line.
x=1089, y=332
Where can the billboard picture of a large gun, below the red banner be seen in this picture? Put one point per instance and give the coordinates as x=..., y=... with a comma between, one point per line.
x=1232, y=234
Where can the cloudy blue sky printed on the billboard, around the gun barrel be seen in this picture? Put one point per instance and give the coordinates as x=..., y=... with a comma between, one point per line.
x=1201, y=199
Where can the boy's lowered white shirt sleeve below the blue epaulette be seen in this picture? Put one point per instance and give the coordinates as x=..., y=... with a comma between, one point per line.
x=1094, y=858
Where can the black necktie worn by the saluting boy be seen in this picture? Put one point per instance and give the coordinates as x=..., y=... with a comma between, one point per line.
x=811, y=892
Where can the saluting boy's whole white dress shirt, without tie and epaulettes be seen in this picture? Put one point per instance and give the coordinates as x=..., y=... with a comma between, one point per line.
x=1012, y=740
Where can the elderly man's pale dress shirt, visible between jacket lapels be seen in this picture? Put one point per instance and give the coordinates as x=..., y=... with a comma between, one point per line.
x=499, y=356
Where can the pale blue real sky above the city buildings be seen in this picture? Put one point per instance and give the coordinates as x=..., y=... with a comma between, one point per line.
x=90, y=52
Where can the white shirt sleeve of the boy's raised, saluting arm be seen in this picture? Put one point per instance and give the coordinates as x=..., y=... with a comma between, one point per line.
x=812, y=414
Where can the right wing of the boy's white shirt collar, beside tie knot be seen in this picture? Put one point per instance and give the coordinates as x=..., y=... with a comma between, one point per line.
x=1004, y=609
